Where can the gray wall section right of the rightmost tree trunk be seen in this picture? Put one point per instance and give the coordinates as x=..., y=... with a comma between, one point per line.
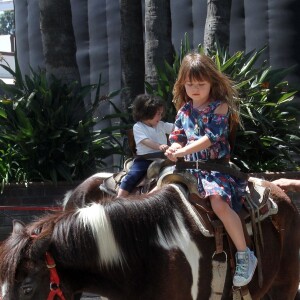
x=275, y=23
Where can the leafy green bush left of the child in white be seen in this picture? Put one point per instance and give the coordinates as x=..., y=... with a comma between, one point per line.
x=46, y=133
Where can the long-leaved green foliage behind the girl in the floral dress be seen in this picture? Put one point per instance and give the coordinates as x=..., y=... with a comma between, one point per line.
x=269, y=138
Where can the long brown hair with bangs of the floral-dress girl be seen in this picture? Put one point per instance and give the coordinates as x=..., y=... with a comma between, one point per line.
x=199, y=67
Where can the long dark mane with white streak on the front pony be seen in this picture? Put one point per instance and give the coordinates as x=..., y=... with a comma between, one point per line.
x=114, y=232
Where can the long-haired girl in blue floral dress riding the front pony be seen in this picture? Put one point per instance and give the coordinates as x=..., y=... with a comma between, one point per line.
x=204, y=98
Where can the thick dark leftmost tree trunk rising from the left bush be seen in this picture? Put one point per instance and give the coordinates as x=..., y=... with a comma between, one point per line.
x=58, y=39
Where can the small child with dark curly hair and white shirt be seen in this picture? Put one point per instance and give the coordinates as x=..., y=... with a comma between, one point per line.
x=149, y=135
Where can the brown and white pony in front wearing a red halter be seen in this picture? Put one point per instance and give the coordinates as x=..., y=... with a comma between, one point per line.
x=146, y=247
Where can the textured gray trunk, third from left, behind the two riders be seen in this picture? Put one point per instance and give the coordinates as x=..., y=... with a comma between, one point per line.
x=158, y=43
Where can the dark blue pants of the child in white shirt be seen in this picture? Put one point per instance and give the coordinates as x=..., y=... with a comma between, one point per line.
x=136, y=173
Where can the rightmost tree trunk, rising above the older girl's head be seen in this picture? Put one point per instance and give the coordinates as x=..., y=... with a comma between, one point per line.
x=217, y=26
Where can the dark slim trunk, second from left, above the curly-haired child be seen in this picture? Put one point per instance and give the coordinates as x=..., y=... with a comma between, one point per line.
x=132, y=50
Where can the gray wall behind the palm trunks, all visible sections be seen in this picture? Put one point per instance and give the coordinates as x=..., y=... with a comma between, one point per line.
x=97, y=30
